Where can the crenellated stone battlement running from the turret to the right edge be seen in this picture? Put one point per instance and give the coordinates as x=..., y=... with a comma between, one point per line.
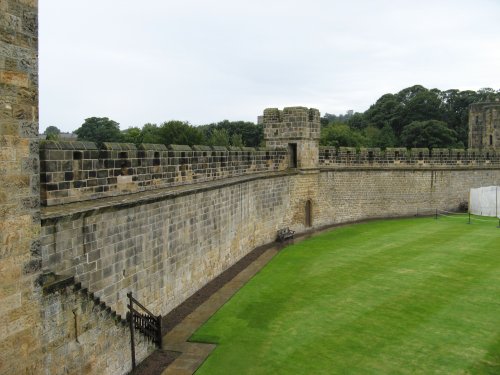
x=404, y=158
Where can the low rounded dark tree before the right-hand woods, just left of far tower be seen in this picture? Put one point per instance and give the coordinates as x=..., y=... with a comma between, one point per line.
x=430, y=133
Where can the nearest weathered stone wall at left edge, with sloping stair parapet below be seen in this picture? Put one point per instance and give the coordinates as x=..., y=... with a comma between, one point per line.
x=37, y=329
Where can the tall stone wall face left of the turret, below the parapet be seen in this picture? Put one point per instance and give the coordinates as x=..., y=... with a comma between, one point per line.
x=163, y=246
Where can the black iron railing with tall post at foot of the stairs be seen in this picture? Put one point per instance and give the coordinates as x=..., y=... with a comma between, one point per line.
x=144, y=321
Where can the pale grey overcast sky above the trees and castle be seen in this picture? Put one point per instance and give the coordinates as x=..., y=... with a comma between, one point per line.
x=205, y=61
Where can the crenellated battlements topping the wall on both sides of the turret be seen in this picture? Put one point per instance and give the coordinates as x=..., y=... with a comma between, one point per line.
x=79, y=171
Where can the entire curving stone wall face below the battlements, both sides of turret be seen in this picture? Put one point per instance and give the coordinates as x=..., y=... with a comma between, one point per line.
x=165, y=246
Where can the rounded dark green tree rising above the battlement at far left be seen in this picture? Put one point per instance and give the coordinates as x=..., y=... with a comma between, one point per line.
x=99, y=130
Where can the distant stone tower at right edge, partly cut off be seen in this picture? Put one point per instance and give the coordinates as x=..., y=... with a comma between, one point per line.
x=484, y=125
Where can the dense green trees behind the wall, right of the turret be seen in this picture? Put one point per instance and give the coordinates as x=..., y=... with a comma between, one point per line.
x=413, y=117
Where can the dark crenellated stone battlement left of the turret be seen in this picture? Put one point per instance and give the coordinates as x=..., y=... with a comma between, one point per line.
x=79, y=171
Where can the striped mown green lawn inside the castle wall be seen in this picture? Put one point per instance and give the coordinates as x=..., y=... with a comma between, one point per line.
x=386, y=297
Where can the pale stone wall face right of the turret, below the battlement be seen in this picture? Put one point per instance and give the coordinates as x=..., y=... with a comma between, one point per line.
x=363, y=193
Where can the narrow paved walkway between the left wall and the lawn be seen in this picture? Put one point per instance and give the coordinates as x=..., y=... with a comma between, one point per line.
x=194, y=354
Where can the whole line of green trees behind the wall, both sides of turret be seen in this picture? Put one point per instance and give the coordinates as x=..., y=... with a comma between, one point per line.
x=413, y=117
